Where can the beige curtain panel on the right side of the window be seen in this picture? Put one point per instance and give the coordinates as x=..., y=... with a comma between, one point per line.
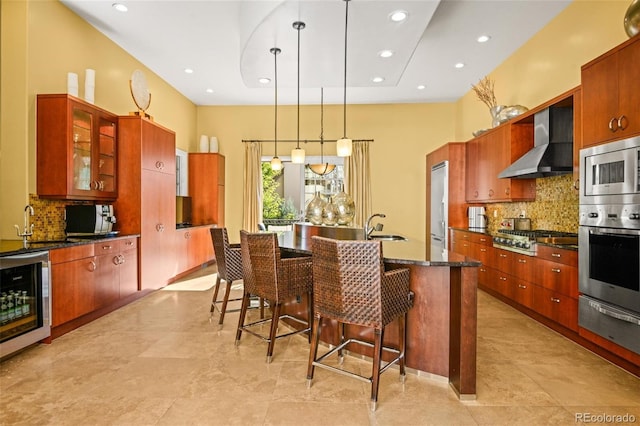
x=357, y=178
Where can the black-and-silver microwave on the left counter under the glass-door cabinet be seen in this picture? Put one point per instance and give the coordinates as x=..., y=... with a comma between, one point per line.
x=88, y=220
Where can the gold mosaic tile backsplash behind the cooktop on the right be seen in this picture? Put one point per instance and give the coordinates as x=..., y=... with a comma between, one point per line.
x=555, y=208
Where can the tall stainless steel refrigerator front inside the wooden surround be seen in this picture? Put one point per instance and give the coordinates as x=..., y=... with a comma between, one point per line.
x=439, y=207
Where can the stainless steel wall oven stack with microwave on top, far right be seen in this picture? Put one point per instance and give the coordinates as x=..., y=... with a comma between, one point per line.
x=609, y=241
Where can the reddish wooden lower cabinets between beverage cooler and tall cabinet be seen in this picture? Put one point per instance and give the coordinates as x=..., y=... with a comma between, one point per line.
x=88, y=277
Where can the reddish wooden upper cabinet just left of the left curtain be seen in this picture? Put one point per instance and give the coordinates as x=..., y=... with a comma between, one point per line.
x=206, y=188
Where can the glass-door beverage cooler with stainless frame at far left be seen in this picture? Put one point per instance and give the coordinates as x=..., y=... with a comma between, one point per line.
x=24, y=301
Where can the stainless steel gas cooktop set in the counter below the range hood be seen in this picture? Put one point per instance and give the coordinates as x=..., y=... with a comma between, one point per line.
x=525, y=241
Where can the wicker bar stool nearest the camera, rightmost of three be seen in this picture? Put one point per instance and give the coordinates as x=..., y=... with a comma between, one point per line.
x=351, y=287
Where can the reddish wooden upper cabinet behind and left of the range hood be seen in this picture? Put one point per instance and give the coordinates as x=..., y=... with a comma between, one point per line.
x=491, y=153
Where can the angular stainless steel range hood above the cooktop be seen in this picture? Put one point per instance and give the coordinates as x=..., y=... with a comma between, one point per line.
x=552, y=153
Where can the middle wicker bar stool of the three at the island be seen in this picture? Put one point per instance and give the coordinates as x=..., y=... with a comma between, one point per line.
x=274, y=279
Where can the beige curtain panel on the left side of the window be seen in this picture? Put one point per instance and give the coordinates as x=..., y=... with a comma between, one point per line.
x=252, y=195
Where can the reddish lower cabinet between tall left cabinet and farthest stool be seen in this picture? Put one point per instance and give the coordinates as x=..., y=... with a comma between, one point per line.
x=193, y=248
